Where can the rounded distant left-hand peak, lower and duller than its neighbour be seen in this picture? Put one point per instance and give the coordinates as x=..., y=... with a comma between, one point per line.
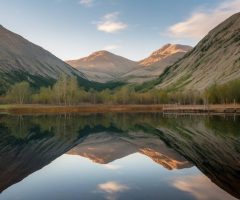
x=103, y=66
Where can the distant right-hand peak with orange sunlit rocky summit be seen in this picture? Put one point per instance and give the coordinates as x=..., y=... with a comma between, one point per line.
x=157, y=62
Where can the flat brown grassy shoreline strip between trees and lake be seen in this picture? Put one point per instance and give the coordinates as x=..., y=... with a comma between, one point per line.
x=105, y=108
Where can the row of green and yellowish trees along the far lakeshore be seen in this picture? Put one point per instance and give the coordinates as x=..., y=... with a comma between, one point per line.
x=66, y=91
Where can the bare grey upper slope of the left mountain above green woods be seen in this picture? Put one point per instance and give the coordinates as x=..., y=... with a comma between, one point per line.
x=14, y=46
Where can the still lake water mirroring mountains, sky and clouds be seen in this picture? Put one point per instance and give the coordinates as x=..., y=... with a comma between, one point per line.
x=119, y=156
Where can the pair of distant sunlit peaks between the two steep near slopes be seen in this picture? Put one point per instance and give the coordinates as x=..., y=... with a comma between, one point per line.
x=103, y=66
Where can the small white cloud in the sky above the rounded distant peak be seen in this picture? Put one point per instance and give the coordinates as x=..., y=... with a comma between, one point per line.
x=111, y=24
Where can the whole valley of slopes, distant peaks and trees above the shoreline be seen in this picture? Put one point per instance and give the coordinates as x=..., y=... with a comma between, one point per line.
x=175, y=74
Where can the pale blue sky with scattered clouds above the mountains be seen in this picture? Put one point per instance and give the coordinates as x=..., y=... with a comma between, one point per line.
x=71, y=29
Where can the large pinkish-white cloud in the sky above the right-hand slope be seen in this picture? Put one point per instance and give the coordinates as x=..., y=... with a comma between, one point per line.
x=201, y=22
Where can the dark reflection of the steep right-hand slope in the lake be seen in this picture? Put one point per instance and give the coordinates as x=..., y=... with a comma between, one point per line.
x=211, y=144
